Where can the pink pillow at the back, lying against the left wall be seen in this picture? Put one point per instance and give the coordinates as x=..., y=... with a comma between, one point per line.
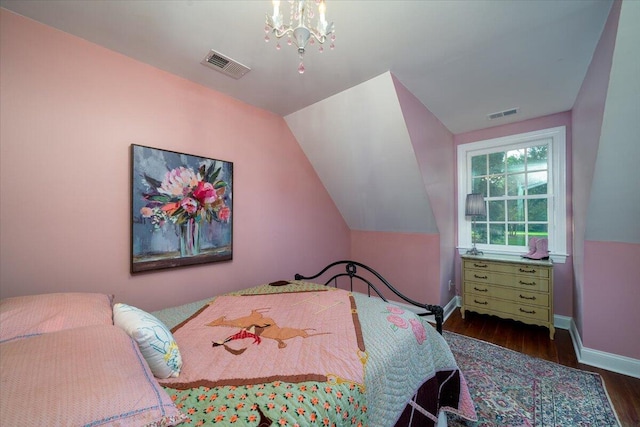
x=22, y=317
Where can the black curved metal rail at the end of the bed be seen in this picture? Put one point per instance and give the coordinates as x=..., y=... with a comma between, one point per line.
x=351, y=272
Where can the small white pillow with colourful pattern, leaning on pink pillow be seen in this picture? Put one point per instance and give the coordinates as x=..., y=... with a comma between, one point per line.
x=154, y=339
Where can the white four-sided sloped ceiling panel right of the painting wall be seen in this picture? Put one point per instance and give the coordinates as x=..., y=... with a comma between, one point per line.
x=359, y=145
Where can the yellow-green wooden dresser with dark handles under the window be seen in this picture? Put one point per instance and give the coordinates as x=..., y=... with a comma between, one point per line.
x=510, y=287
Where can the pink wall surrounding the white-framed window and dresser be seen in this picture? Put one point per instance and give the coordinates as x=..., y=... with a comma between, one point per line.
x=562, y=273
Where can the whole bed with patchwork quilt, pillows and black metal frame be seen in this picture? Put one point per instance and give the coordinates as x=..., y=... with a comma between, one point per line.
x=291, y=352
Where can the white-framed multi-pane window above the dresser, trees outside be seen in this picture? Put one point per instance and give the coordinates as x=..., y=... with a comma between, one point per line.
x=523, y=180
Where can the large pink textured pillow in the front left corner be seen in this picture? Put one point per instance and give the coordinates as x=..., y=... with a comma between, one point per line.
x=93, y=375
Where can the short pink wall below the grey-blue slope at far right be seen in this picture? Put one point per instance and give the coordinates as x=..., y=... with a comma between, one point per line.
x=611, y=289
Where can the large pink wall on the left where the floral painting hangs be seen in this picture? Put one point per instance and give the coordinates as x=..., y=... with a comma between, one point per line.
x=69, y=112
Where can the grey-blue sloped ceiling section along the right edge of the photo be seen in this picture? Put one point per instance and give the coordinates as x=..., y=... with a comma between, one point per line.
x=614, y=204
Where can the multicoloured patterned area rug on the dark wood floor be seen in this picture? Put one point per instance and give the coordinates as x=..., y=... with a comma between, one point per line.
x=513, y=389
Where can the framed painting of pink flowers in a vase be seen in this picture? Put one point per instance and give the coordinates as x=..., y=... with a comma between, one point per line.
x=181, y=209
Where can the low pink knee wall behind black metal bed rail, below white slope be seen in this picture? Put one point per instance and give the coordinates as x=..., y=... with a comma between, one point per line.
x=406, y=260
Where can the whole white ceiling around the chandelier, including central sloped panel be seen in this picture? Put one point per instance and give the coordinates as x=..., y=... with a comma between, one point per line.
x=461, y=59
